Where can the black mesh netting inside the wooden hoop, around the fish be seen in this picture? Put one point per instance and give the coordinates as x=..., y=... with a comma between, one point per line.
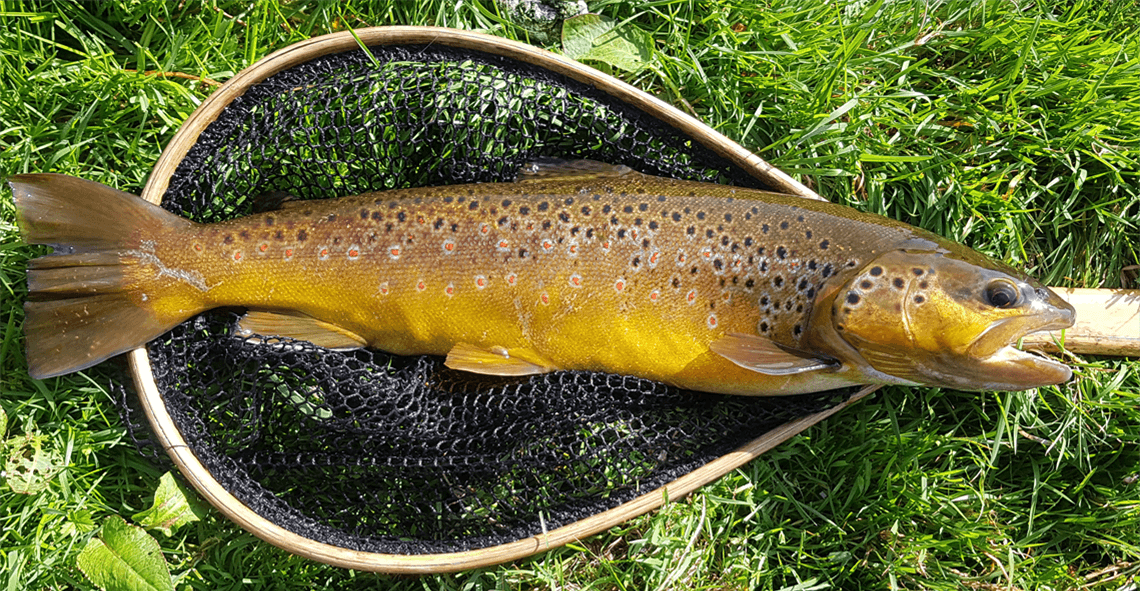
x=402, y=456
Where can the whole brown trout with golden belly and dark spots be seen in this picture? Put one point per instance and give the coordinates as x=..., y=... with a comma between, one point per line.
x=579, y=266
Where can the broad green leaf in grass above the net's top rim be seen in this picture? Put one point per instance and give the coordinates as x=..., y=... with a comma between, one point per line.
x=599, y=39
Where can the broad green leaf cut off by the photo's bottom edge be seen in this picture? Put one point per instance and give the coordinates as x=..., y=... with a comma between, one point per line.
x=125, y=558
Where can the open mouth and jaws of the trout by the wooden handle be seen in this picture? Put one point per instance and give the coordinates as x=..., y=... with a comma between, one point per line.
x=1014, y=369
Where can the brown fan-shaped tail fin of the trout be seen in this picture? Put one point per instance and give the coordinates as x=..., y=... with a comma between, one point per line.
x=84, y=306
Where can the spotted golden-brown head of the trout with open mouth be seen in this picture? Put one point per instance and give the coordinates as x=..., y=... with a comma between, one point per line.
x=950, y=319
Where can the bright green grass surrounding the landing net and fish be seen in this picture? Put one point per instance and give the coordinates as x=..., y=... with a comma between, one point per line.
x=1012, y=127
